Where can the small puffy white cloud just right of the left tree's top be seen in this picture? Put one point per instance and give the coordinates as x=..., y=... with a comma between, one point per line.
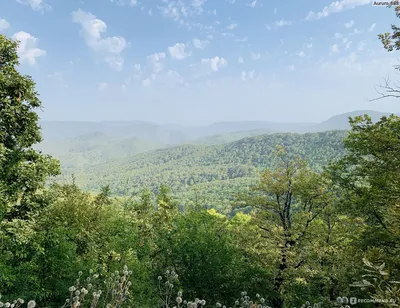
x=28, y=50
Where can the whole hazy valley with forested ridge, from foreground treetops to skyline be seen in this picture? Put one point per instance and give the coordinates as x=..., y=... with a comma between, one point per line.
x=129, y=157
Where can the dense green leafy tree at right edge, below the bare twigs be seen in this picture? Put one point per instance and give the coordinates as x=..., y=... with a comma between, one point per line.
x=368, y=177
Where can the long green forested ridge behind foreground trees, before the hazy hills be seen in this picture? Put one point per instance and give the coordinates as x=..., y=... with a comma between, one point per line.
x=188, y=168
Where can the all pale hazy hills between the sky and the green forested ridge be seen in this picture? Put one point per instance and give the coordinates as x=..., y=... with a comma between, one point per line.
x=80, y=144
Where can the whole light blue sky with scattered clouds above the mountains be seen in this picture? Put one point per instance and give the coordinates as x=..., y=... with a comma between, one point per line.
x=201, y=61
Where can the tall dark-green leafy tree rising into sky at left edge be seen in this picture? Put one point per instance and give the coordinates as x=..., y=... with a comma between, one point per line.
x=22, y=169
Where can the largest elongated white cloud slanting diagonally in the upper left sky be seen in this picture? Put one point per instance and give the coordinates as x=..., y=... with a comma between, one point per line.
x=92, y=29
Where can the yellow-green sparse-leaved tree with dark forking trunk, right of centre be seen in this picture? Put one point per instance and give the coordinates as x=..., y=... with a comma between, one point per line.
x=287, y=200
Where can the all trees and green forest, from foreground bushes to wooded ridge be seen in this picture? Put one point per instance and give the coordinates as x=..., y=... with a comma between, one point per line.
x=314, y=219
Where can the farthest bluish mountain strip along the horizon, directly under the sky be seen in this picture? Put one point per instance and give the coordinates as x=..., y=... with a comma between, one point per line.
x=178, y=134
